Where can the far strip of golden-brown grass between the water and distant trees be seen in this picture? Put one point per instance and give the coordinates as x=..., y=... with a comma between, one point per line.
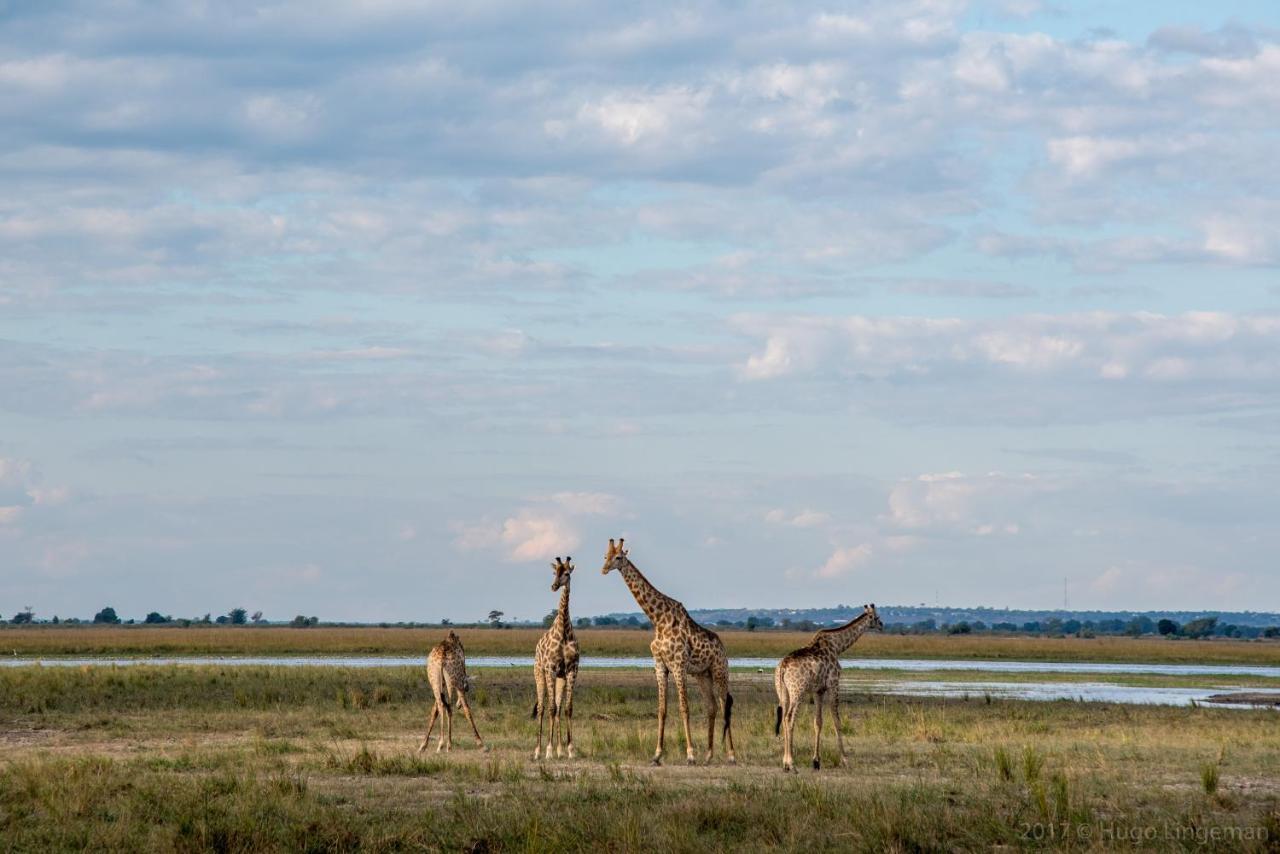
x=145, y=641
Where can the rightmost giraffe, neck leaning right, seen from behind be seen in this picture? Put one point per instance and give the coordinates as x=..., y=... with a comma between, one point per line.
x=817, y=669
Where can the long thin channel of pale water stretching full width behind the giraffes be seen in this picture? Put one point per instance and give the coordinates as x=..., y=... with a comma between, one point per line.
x=913, y=665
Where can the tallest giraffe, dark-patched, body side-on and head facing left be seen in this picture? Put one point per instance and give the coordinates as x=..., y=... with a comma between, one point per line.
x=680, y=649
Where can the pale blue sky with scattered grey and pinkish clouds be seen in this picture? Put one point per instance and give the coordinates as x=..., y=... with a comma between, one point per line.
x=372, y=310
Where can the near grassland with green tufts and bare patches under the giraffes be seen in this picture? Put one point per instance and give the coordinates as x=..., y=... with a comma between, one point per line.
x=323, y=759
